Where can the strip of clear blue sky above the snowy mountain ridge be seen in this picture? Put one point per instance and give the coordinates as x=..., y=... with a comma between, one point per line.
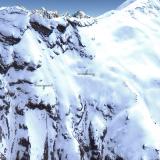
x=91, y=7
